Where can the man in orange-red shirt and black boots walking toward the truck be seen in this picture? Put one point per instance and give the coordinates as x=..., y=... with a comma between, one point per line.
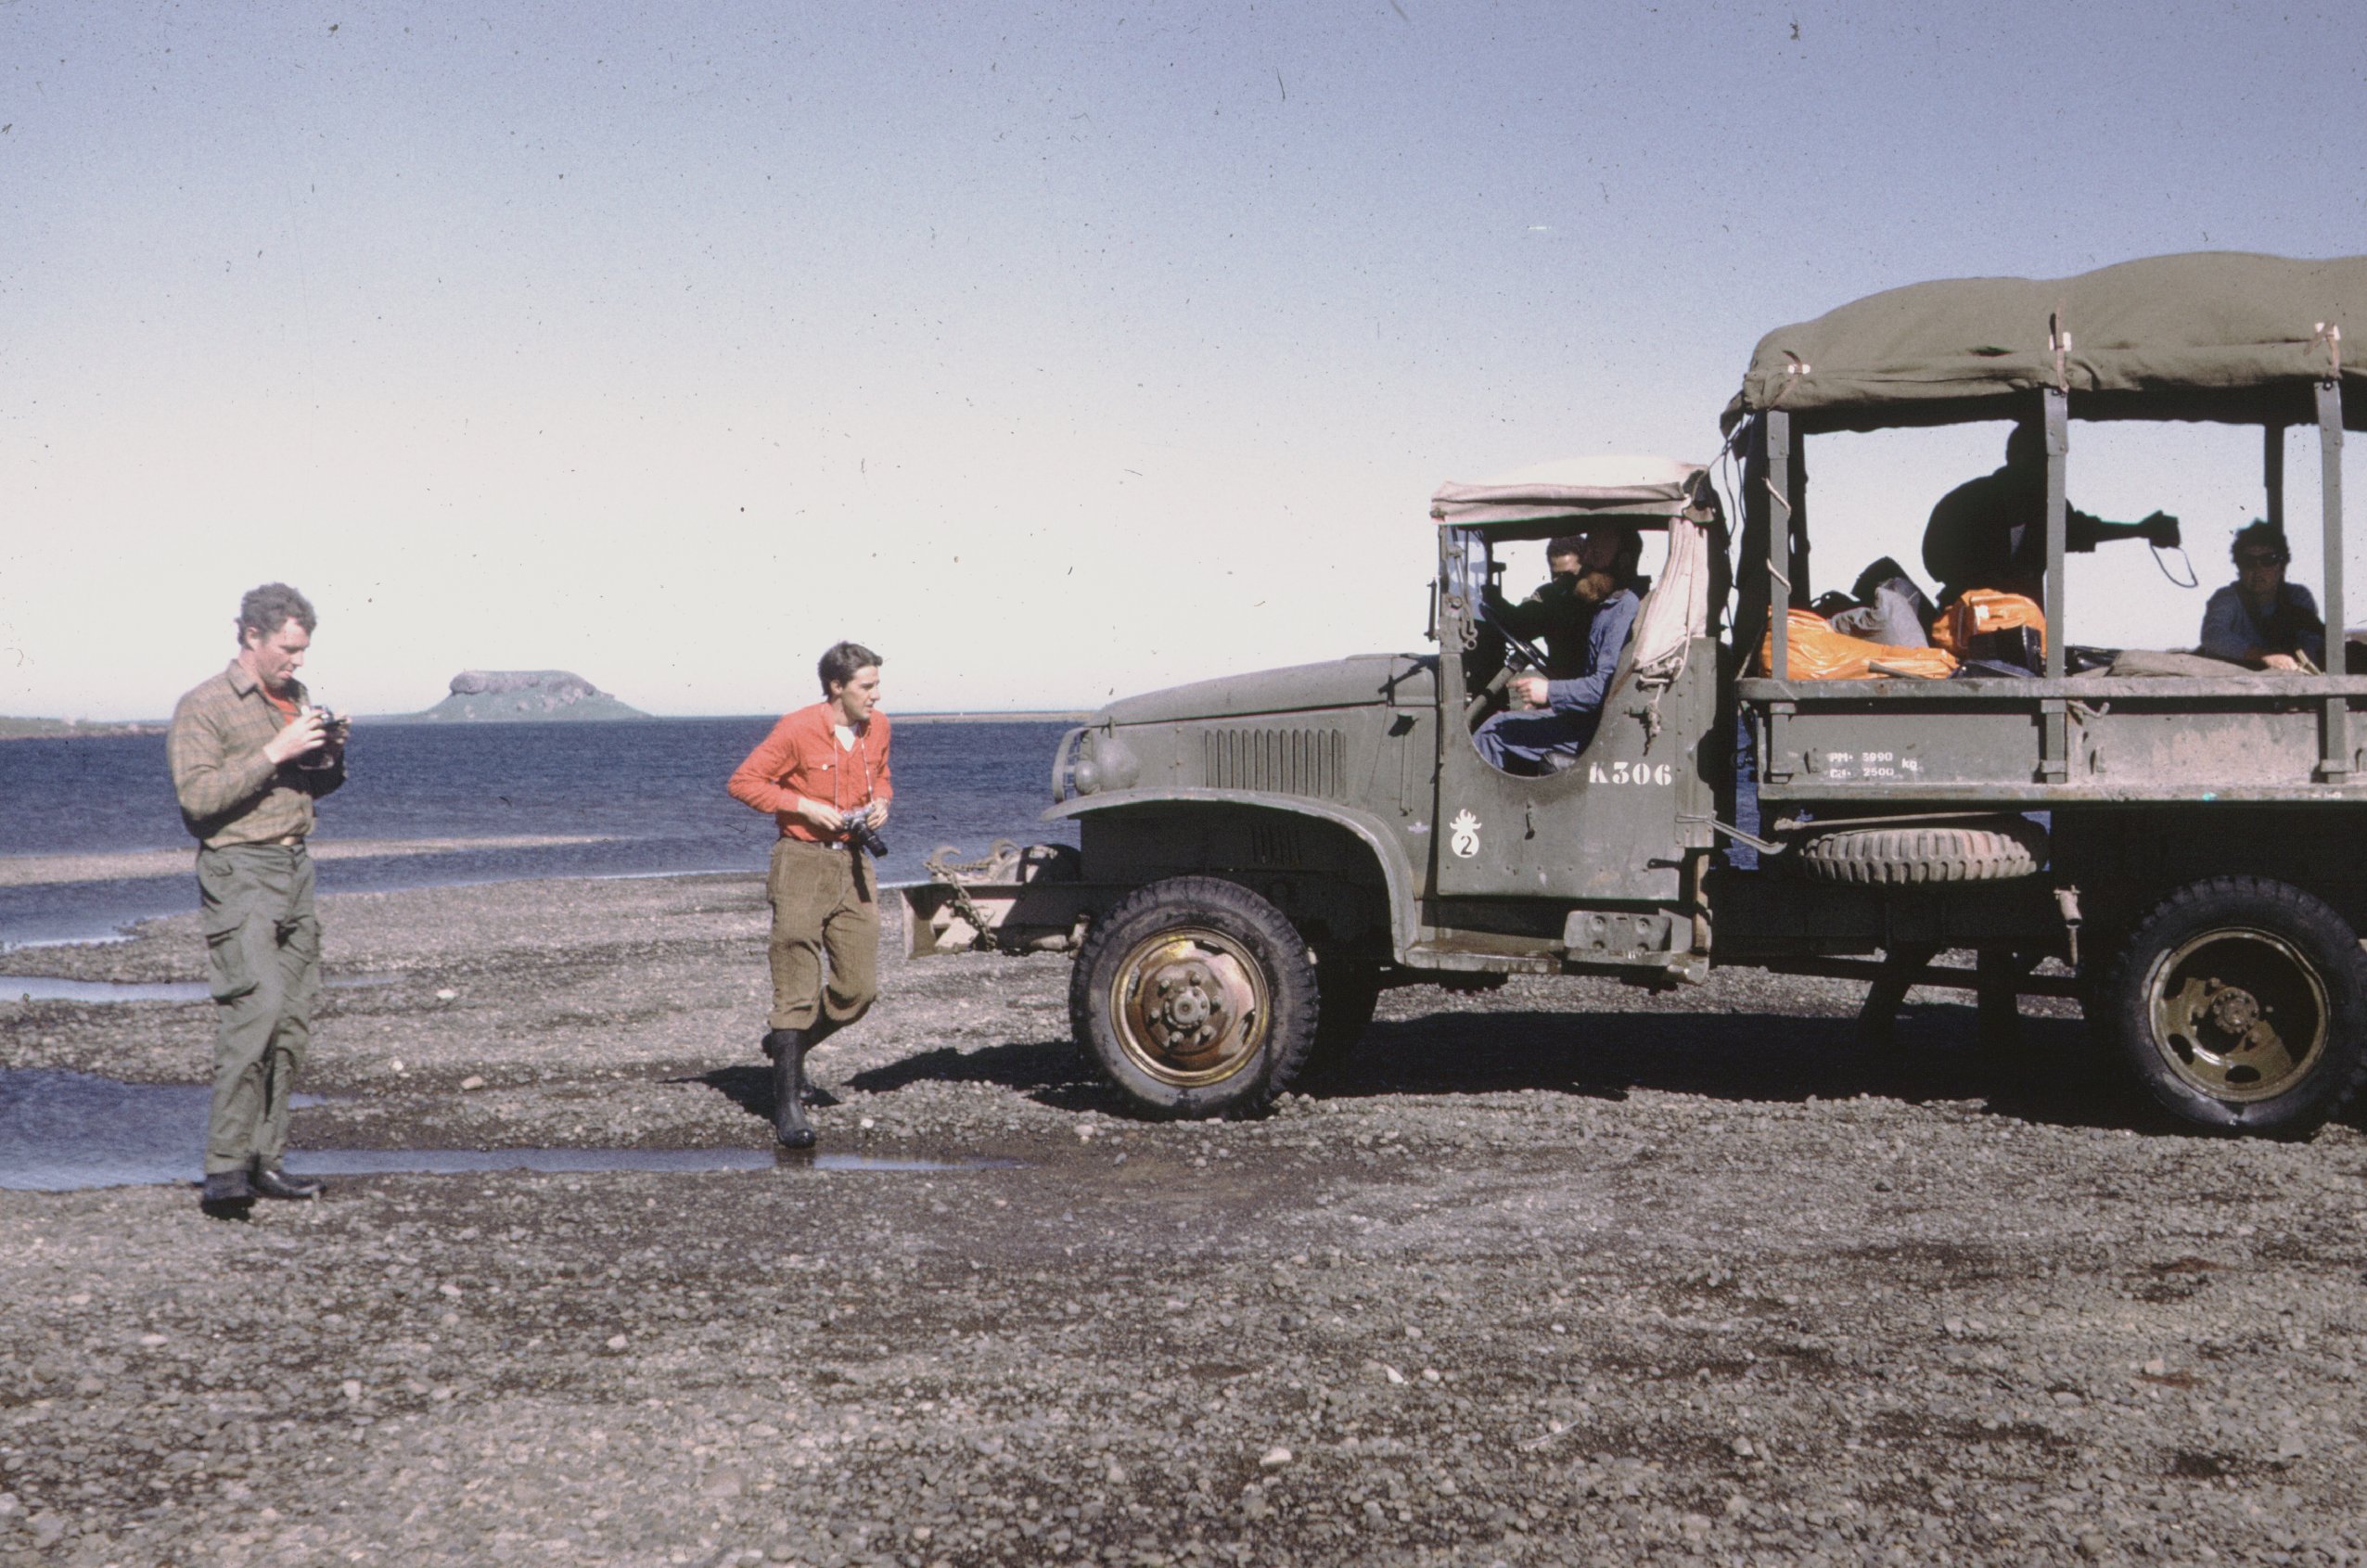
x=823, y=772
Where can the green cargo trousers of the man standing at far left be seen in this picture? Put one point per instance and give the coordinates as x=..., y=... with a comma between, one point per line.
x=264, y=961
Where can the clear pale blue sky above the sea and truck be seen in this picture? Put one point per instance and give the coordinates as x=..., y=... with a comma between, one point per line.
x=1052, y=351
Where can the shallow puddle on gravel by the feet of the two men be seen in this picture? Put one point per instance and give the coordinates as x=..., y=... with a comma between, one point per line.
x=63, y=1132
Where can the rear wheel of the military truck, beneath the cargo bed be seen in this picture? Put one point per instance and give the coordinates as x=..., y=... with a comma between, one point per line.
x=2243, y=1006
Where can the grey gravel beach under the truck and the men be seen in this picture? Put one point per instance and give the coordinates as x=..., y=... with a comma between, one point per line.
x=1559, y=1274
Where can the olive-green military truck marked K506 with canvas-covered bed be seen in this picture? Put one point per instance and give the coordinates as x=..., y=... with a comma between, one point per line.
x=1263, y=855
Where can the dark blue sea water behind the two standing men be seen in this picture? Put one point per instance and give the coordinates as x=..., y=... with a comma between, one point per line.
x=650, y=791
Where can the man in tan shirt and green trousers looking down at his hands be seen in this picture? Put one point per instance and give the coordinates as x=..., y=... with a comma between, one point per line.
x=250, y=758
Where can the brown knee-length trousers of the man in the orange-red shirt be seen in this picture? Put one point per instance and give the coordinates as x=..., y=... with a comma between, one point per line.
x=825, y=900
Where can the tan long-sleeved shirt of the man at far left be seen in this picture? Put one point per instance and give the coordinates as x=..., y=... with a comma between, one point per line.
x=228, y=789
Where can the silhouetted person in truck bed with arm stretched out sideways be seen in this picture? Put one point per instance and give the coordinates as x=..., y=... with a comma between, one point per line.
x=1992, y=533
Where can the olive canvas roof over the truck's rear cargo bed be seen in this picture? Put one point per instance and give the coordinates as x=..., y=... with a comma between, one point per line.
x=2212, y=335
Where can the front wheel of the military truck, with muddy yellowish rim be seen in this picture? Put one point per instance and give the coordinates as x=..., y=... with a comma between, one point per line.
x=1197, y=999
